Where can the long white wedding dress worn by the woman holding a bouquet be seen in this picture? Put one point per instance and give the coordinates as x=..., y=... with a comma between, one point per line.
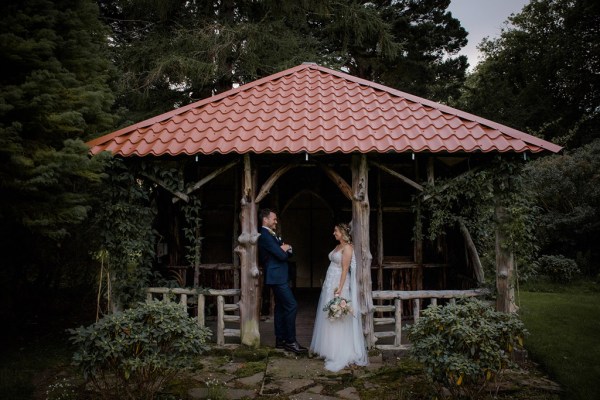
x=340, y=342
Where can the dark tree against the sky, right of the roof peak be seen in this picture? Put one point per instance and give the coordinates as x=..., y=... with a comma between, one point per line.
x=428, y=37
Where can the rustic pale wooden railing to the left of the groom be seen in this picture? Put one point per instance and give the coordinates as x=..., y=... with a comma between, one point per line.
x=223, y=310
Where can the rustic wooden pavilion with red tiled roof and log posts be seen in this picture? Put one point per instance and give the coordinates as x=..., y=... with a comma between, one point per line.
x=321, y=147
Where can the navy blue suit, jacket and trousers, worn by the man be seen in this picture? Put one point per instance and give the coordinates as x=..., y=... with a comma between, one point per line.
x=275, y=264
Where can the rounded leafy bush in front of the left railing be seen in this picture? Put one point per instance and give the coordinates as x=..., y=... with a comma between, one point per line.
x=131, y=354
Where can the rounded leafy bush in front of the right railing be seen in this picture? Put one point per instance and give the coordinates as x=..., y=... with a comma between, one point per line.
x=465, y=345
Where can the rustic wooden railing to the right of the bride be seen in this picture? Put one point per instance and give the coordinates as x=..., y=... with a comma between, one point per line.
x=418, y=297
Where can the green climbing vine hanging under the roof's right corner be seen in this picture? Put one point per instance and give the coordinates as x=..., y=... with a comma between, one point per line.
x=472, y=197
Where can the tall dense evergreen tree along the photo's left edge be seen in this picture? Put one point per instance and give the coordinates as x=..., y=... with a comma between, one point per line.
x=54, y=92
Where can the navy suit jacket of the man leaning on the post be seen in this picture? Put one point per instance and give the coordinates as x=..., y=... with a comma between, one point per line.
x=273, y=260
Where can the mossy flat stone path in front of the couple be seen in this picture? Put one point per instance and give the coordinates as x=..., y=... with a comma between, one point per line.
x=275, y=374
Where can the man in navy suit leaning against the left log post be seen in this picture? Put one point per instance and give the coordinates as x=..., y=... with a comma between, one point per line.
x=273, y=255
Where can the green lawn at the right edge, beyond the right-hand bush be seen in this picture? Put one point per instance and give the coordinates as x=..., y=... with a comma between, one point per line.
x=564, y=326
